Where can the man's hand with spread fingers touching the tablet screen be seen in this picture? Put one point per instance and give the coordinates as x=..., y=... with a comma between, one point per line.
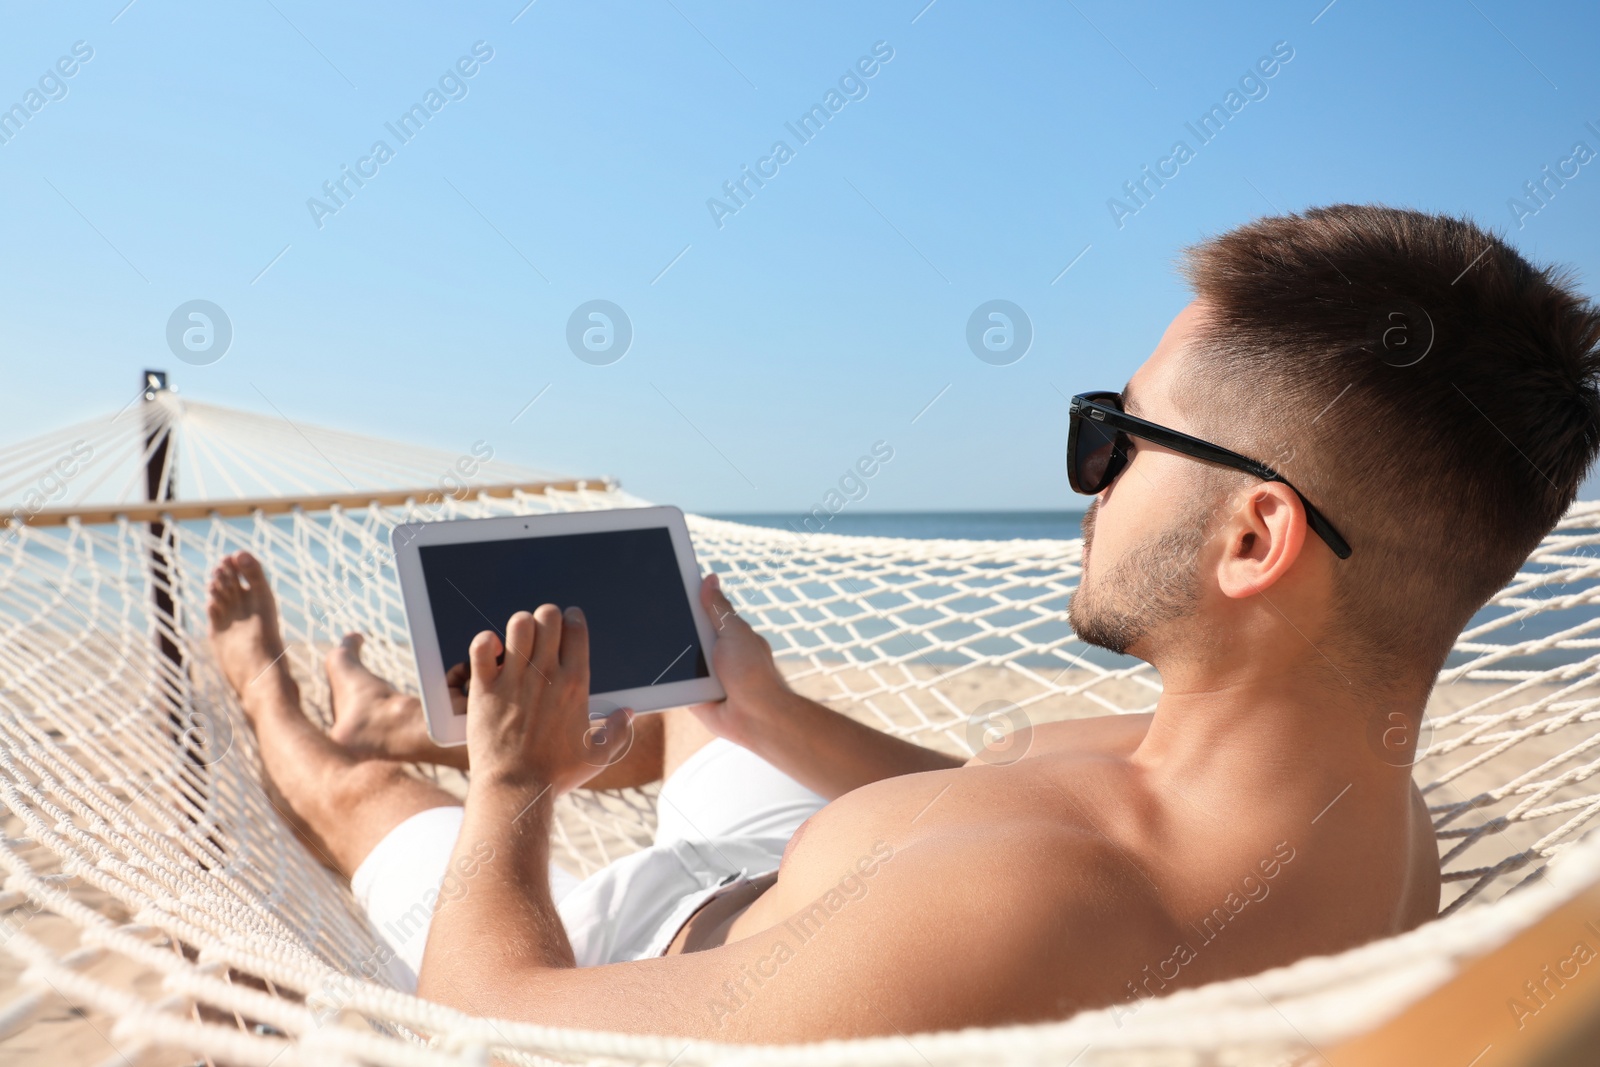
x=529, y=705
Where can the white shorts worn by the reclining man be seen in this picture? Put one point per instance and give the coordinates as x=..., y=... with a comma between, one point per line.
x=724, y=818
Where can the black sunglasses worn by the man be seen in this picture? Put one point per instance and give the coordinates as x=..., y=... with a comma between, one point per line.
x=1098, y=452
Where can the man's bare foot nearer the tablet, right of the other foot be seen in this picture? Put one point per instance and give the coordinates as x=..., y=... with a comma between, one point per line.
x=375, y=721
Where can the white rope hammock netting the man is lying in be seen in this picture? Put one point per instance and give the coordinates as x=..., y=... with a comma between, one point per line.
x=156, y=906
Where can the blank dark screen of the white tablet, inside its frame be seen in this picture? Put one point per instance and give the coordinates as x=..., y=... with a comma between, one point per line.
x=628, y=583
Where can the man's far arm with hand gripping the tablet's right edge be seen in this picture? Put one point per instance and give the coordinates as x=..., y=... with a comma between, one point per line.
x=814, y=745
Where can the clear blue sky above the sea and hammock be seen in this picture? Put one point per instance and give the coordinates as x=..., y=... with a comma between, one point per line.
x=775, y=350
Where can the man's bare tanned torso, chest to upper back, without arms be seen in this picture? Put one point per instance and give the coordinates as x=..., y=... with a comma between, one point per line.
x=1135, y=885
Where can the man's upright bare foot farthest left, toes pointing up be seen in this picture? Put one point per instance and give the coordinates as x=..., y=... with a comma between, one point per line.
x=246, y=628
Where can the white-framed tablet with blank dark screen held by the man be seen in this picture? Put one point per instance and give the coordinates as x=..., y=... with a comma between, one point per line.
x=631, y=570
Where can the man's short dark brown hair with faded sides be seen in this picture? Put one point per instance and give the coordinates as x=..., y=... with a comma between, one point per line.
x=1428, y=388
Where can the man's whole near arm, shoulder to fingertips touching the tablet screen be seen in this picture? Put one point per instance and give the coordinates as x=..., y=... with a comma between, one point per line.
x=927, y=930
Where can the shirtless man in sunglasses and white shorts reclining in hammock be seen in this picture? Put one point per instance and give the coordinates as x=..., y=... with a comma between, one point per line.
x=1426, y=402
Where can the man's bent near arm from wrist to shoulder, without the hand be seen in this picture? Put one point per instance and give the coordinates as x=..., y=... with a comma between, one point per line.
x=898, y=945
